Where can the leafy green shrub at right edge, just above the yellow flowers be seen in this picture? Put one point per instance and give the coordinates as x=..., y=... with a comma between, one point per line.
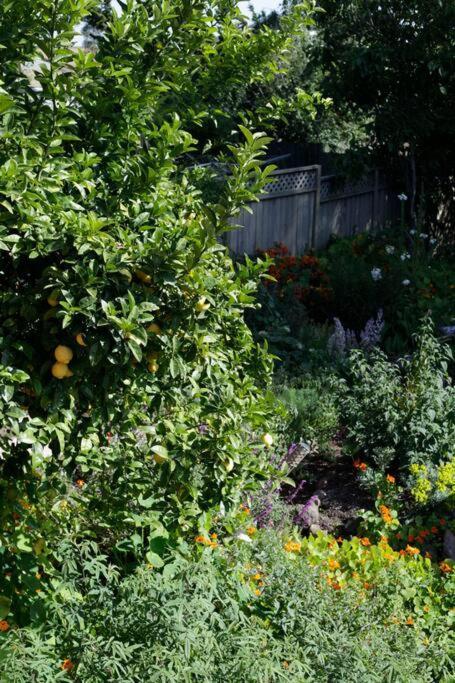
x=402, y=414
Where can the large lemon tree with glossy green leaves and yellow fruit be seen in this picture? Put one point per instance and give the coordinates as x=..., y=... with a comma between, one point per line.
x=132, y=395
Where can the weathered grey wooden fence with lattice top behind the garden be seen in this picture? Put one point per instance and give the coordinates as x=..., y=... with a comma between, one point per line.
x=303, y=209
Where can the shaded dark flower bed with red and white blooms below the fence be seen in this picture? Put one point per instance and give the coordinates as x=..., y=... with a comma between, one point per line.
x=399, y=272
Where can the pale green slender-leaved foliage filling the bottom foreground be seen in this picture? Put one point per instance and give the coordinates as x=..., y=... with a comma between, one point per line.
x=254, y=612
